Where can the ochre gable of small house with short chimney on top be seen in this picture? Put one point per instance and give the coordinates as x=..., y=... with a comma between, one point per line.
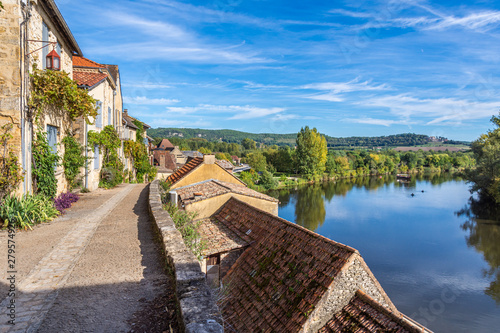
x=201, y=169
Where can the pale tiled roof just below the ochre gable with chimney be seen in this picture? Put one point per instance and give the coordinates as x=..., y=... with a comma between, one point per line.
x=213, y=188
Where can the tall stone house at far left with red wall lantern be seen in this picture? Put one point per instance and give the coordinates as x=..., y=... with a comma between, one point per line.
x=32, y=32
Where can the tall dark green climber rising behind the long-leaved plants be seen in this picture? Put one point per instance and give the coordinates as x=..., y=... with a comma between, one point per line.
x=45, y=162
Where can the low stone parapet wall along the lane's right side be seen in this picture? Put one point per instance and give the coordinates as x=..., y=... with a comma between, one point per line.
x=198, y=309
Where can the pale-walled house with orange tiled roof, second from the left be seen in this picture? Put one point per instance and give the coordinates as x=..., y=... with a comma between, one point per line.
x=103, y=84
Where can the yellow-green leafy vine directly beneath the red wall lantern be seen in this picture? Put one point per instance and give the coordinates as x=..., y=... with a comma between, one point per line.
x=55, y=91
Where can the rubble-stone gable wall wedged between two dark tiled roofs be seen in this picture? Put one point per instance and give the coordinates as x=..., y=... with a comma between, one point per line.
x=354, y=276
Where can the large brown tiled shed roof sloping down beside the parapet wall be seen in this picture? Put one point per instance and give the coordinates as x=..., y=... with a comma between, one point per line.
x=283, y=274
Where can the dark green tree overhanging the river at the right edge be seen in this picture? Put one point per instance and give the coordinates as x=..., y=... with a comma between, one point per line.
x=485, y=178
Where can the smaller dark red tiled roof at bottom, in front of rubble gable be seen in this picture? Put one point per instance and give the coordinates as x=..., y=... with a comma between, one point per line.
x=364, y=314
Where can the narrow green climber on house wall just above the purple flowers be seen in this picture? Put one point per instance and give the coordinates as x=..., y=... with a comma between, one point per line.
x=73, y=159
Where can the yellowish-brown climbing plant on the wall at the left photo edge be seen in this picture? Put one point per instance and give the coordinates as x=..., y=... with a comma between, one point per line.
x=10, y=173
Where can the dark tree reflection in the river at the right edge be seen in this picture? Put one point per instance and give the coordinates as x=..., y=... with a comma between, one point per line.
x=483, y=225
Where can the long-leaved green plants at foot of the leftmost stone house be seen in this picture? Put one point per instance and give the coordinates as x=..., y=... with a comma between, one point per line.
x=27, y=211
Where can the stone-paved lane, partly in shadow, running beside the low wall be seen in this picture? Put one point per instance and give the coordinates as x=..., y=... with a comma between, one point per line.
x=106, y=268
